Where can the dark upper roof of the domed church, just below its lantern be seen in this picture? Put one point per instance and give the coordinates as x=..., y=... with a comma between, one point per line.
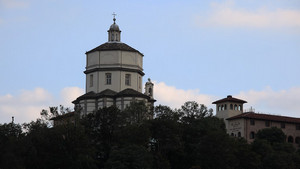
x=108, y=46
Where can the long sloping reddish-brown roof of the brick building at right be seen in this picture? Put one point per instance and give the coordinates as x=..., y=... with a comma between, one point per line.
x=251, y=115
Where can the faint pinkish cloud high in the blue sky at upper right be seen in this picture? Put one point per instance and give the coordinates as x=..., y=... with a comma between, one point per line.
x=229, y=15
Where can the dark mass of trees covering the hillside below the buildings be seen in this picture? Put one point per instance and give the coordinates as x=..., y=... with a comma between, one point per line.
x=187, y=138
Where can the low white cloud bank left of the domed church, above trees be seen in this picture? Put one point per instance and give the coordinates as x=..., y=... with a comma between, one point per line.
x=27, y=105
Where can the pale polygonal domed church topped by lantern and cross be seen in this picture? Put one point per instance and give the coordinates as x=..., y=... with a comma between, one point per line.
x=114, y=73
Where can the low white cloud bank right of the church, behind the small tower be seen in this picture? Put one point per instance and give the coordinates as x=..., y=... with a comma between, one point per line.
x=283, y=102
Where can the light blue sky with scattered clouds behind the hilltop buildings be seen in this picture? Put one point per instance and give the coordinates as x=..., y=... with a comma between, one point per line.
x=193, y=51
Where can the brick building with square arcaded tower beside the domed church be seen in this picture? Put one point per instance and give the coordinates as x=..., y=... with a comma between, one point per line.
x=247, y=124
